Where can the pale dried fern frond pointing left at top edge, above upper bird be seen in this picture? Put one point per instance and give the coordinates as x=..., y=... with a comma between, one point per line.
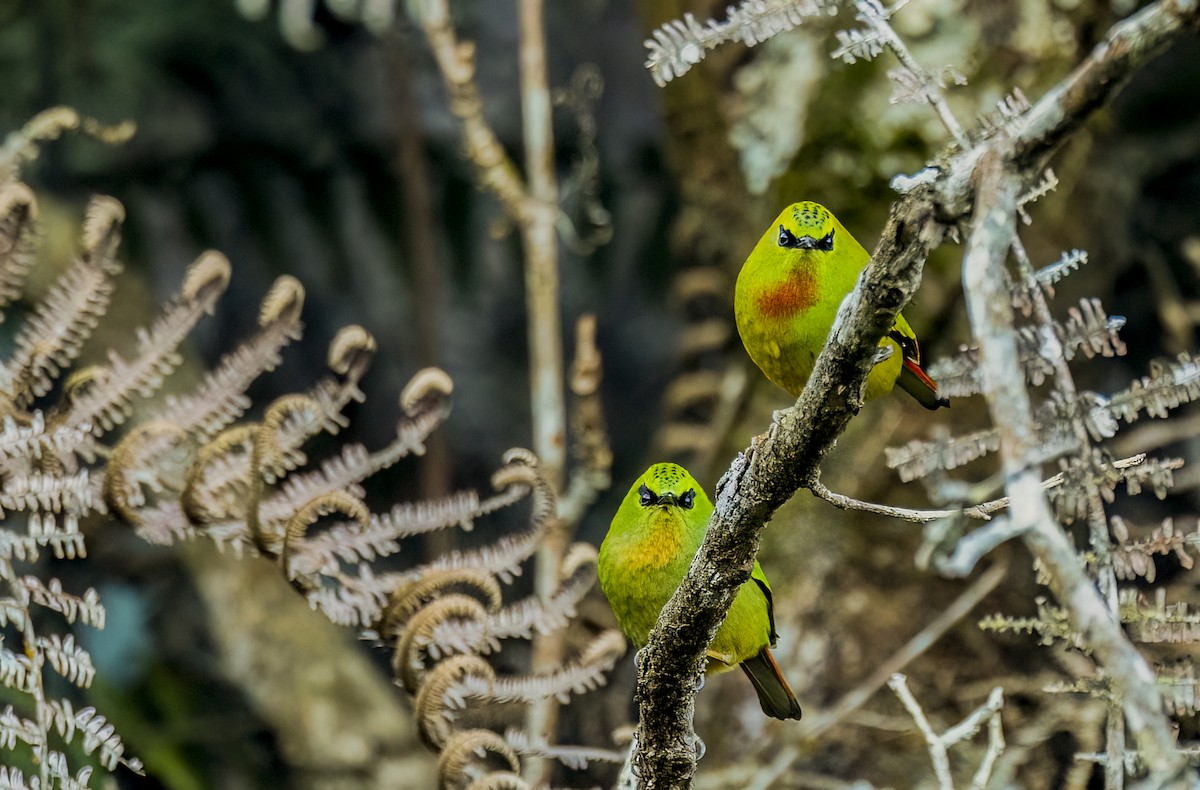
x=681, y=44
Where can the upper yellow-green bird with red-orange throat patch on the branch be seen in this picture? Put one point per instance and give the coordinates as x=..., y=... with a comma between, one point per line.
x=788, y=297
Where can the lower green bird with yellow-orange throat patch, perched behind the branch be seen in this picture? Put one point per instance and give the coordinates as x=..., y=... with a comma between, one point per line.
x=650, y=547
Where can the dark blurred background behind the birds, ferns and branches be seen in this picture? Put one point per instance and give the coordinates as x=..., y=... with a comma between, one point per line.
x=340, y=165
